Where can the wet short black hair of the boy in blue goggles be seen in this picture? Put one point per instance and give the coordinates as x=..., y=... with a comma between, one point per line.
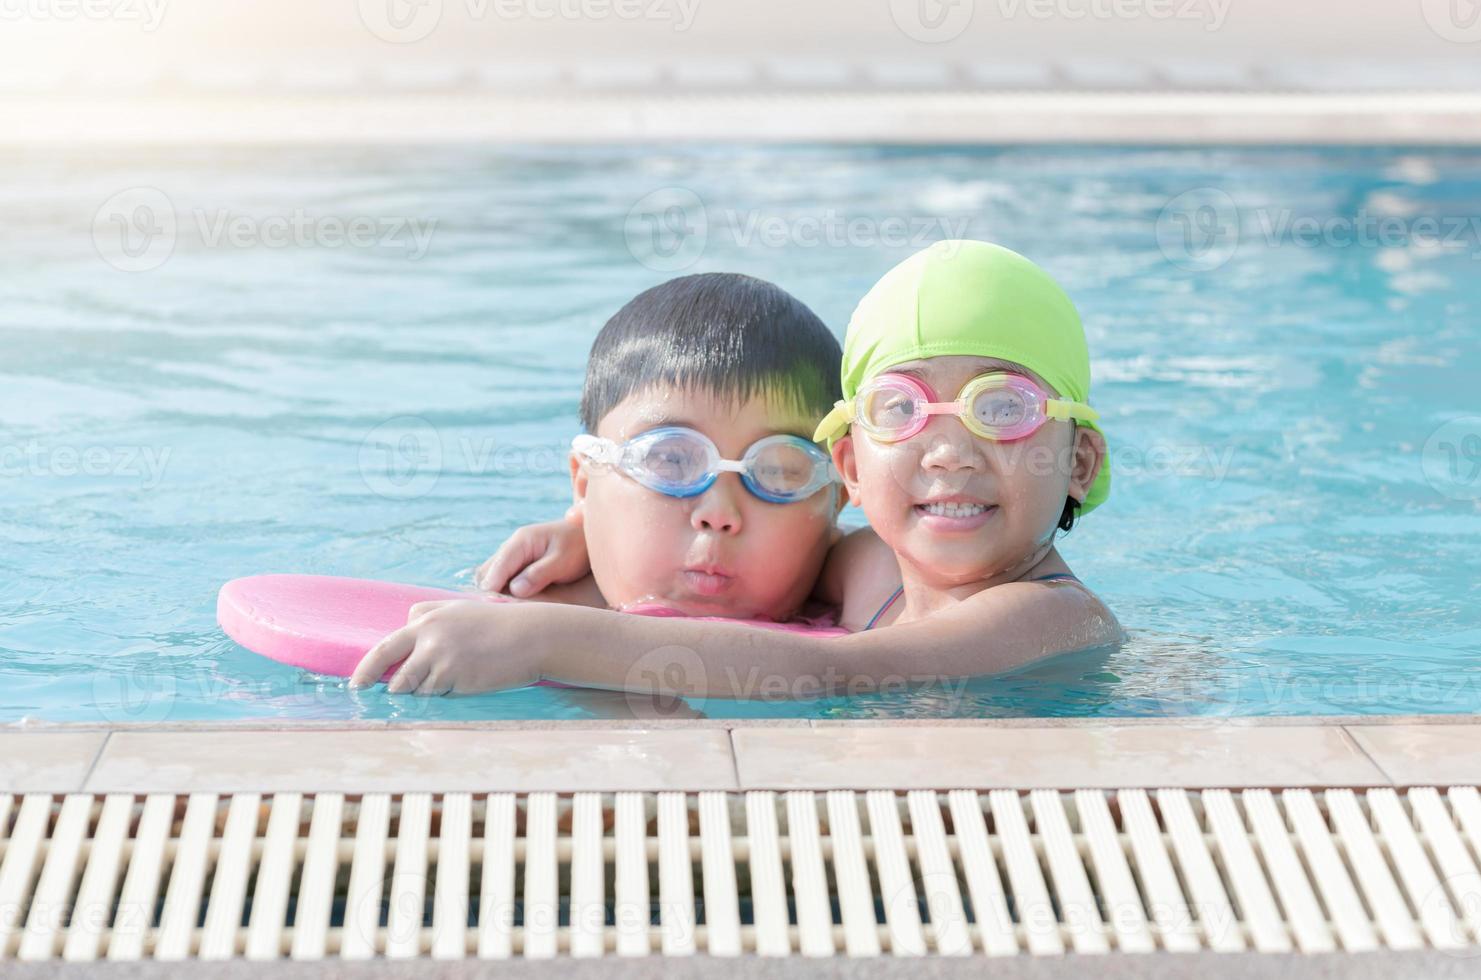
x=723, y=334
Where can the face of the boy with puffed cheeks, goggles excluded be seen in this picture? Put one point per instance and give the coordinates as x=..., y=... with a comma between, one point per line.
x=722, y=553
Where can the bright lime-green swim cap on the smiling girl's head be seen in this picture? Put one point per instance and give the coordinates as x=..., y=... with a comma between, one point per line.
x=978, y=300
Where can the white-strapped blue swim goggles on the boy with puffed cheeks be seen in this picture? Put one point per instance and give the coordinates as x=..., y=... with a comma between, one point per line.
x=682, y=463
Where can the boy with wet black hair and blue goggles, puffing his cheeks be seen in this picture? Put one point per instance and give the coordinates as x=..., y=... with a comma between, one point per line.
x=688, y=378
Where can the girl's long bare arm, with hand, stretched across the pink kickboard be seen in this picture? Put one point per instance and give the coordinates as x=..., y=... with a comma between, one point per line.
x=466, y=648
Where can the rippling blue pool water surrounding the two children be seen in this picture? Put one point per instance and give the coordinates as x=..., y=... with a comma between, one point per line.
x=1286, y=358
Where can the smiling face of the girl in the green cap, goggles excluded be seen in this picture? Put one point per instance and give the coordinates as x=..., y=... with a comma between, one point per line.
x=960, y=509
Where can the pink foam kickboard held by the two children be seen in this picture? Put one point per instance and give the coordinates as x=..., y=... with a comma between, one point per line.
x=327, y=624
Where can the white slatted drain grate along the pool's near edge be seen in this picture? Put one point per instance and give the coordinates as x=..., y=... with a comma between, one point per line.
x=851, y=874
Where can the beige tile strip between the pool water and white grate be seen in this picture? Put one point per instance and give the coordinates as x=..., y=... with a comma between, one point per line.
x=741, y=756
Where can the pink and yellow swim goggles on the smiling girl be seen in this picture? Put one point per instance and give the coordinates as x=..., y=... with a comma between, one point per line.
x=997, y=406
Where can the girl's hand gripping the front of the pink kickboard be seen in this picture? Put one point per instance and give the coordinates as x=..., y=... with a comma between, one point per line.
x=451, y=648
